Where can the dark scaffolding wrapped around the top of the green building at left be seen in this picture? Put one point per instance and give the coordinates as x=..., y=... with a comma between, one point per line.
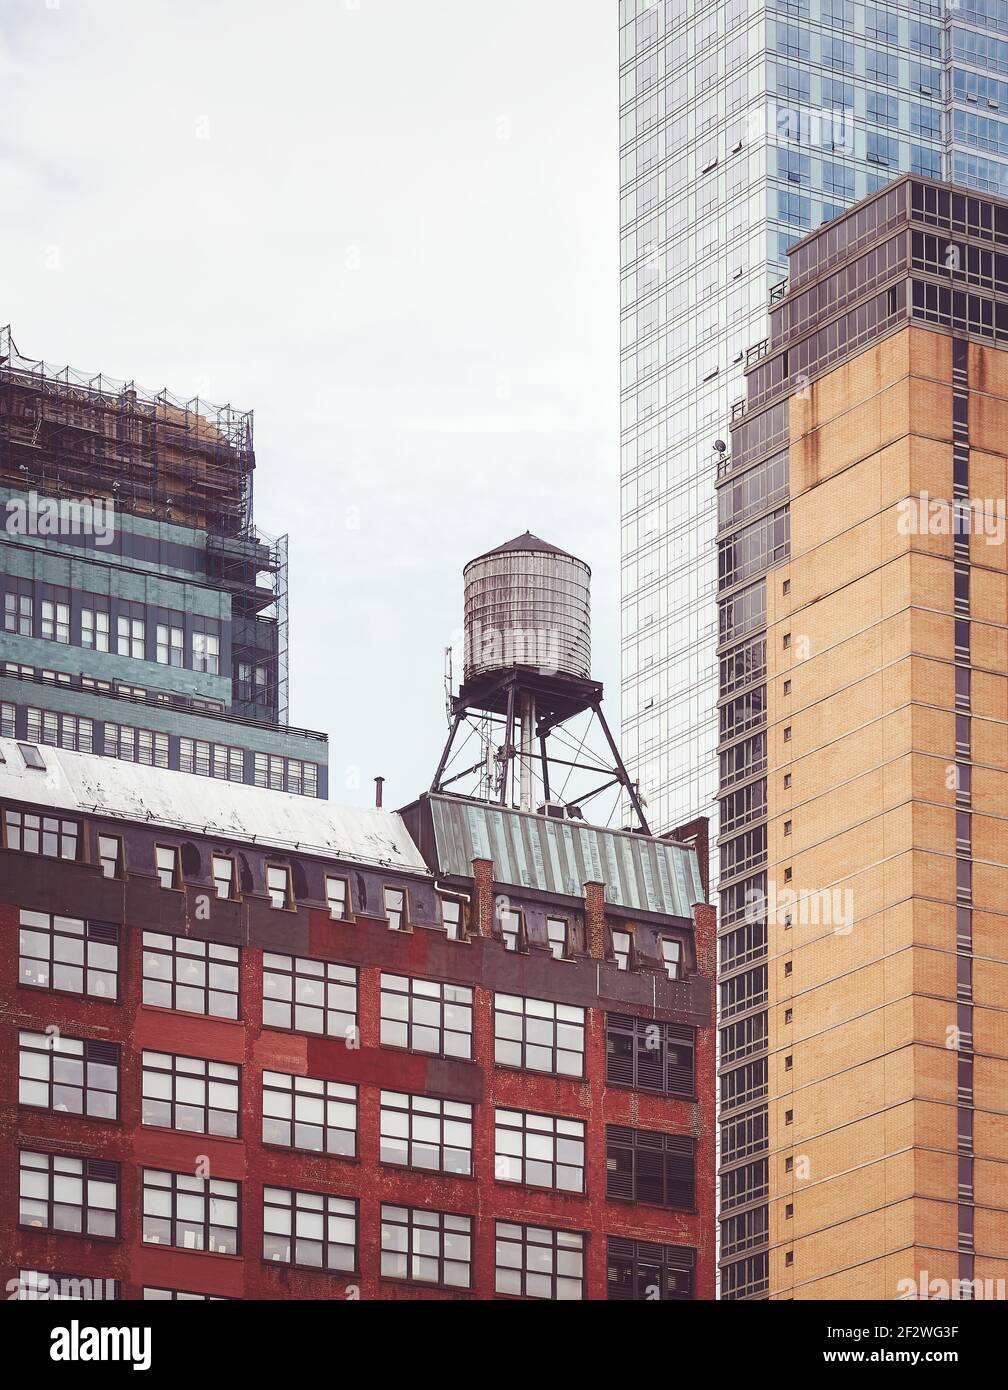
x=66, y=434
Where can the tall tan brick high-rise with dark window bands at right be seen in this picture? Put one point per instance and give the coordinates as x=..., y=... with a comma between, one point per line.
x=864, y=605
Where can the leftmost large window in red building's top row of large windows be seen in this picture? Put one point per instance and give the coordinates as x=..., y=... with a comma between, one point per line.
x=69, y=956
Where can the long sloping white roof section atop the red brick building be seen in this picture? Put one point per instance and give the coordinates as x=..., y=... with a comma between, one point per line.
x=88, y=785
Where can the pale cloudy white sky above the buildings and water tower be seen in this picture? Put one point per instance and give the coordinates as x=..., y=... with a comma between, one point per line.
x=390, y=229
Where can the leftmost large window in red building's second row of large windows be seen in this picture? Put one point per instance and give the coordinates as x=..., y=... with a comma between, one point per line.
x=69, y=1075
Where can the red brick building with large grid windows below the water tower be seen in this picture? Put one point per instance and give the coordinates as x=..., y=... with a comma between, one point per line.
x=265, y=1050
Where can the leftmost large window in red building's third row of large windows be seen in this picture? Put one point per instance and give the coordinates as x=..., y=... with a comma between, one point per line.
x=73, y=1195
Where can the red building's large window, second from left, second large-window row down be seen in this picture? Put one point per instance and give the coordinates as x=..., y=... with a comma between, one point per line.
x=190, y=1093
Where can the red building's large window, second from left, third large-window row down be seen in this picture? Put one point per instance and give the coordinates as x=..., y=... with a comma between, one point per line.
x=190, y=1213
